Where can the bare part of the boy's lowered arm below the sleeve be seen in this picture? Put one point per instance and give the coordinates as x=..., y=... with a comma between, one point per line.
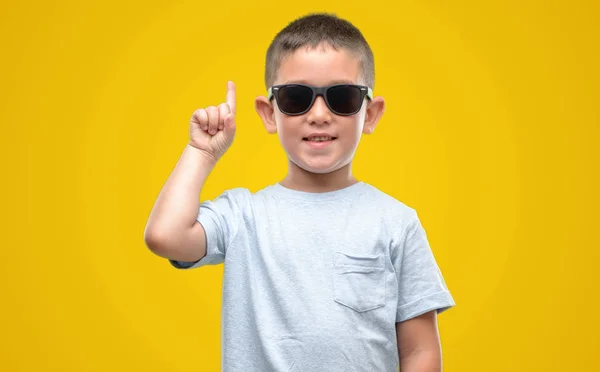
x=419, y=344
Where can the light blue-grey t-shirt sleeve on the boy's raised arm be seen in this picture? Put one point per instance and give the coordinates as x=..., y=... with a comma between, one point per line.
x=221, y=219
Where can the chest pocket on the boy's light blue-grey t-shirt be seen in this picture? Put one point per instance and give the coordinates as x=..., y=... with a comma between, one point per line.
x=359, y=281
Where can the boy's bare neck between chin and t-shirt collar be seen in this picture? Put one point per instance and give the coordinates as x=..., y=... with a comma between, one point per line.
x=303, y=180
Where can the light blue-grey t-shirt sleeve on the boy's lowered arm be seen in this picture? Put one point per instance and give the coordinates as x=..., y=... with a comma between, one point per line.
x=421, y=287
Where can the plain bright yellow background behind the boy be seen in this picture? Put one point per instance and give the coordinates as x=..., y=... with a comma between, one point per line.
x=491, y=132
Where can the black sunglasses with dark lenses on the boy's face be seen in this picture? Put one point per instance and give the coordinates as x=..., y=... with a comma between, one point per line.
x=342, y=99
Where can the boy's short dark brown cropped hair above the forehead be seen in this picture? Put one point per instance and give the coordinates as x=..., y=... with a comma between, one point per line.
x=311, y=31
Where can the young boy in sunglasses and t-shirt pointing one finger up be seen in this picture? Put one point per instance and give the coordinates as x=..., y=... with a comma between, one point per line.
x=322, y=272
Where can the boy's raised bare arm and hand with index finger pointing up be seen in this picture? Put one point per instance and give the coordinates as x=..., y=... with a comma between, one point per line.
x=172, y=230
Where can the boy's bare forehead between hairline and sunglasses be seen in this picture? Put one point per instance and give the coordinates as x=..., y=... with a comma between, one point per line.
x=319, y=66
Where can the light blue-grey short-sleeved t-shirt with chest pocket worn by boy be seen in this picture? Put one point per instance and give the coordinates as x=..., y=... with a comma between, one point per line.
x=317, y=281
